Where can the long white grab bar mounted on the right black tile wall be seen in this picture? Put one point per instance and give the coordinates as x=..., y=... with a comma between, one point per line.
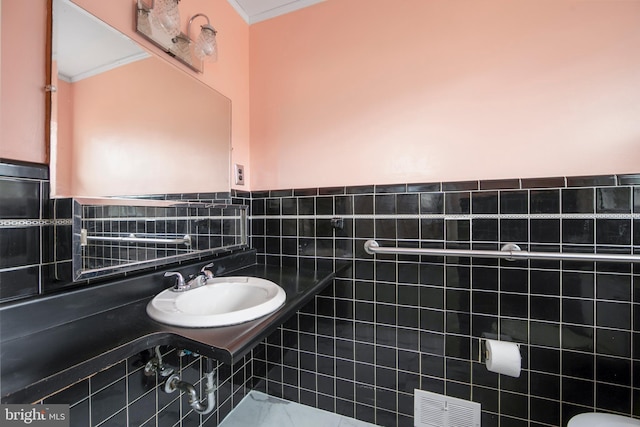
x=509, y=252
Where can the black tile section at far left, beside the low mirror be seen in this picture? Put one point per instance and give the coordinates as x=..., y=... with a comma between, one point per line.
x=29, y=233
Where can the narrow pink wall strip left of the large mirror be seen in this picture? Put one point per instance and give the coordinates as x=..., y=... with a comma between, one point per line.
x=22, y=80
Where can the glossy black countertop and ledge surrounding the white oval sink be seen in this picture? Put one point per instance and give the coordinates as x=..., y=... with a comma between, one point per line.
x=37, y=362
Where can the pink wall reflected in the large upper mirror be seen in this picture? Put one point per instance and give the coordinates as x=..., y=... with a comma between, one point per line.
x=130, y=143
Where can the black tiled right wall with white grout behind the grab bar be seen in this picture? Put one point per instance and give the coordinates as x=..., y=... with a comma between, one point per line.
x=391, y=324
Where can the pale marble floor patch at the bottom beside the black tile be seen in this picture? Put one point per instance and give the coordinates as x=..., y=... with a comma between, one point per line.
x=259, y=409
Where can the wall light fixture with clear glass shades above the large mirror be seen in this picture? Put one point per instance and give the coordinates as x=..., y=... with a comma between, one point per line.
x=160, y=24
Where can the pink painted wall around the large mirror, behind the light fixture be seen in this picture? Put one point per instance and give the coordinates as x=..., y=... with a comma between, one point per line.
x=22, y=111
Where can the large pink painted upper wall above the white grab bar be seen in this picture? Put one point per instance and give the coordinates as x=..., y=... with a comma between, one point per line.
x=374, y=91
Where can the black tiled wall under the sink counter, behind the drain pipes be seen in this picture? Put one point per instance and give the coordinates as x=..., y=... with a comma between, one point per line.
x=123, y=395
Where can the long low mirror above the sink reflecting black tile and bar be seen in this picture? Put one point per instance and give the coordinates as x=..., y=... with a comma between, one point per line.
x=112, y=235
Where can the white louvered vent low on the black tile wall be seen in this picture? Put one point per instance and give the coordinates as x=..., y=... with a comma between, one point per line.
x=436, y=410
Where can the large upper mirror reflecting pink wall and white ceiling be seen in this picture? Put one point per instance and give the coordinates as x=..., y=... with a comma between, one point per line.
x=127, y=122
